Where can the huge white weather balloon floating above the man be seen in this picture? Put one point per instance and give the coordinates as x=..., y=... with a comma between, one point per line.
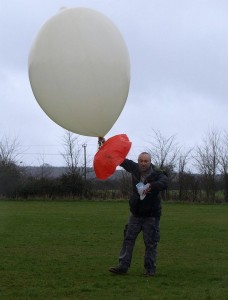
x=79, y=71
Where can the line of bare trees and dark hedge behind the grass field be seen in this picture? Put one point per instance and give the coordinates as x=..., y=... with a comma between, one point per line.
x=197, y=174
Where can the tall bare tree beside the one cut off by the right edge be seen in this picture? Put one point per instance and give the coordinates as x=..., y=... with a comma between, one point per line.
x=207, y=162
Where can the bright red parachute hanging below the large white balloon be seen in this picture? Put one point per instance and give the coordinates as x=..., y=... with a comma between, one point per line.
x=110, y=155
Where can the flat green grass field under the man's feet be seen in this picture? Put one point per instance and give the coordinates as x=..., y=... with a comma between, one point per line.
x=62, y=250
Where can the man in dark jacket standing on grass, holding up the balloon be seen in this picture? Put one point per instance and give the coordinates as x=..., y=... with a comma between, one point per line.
x=145, y=207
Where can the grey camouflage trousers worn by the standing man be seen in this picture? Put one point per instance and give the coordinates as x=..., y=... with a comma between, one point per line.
x=151, y=236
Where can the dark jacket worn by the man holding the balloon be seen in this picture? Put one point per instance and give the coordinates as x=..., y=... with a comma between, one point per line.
x=151, y=204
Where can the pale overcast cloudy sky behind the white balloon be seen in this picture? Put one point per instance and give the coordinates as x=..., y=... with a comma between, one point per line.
x=179, y=70
